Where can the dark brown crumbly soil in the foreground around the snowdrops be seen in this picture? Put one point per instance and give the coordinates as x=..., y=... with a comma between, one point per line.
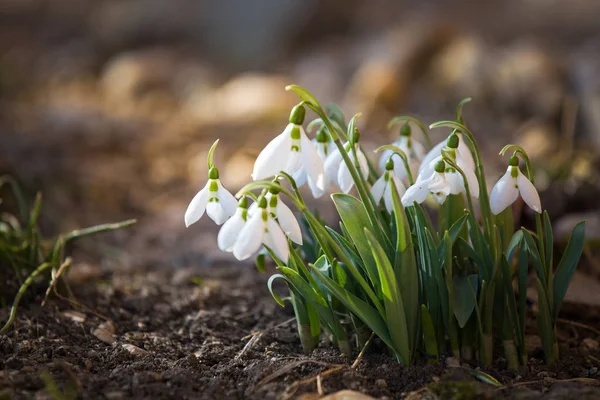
x=192, y=341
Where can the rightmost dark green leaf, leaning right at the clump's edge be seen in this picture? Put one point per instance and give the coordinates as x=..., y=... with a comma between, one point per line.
x=568, y=263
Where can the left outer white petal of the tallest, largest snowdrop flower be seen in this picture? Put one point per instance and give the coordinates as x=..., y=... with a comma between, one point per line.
x=274, y=157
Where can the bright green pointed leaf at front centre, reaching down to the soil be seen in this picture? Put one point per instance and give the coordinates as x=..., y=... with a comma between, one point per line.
x=392, y=300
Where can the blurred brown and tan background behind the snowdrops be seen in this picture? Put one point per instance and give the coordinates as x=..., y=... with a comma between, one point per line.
x=109, y=106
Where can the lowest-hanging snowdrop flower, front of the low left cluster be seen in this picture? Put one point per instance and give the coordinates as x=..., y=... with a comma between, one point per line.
x=260, y=229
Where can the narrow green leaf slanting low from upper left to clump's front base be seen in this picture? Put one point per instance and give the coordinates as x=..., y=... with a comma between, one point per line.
x=361, y=309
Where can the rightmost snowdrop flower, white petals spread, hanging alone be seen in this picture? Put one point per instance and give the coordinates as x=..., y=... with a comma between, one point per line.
x=508, y=188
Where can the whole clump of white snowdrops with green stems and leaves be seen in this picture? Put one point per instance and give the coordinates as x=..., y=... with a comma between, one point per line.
x=424, y=288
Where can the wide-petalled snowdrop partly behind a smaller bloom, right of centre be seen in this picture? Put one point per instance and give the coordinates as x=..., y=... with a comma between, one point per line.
x=454, y=178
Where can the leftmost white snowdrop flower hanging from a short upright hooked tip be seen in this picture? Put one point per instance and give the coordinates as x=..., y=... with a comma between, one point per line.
x=218, y=203
